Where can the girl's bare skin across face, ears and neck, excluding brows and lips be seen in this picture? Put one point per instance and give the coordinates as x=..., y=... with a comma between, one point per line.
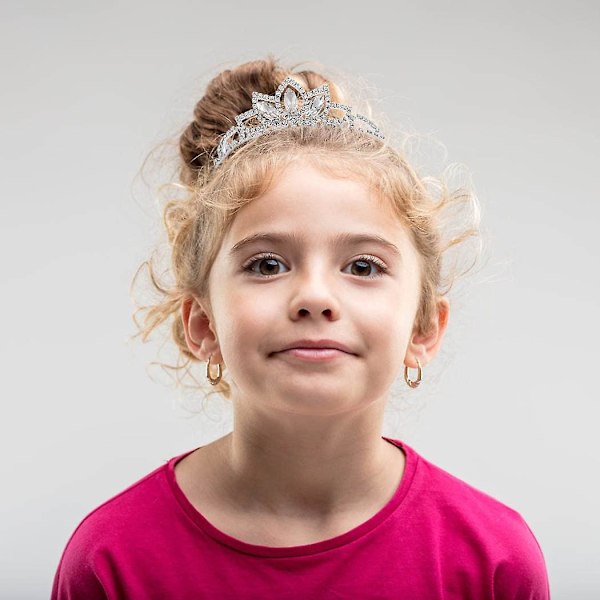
x=305, y=460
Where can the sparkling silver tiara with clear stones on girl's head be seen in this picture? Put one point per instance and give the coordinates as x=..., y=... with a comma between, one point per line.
x=291, y=106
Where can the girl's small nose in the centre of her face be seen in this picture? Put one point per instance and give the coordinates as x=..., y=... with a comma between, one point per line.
x=314, y=297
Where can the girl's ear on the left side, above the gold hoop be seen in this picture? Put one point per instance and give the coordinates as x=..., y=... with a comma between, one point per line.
x=199, y=330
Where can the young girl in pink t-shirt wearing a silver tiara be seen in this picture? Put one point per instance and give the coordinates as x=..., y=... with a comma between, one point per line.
x=307, y=262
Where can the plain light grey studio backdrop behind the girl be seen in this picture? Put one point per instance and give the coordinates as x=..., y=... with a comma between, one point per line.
x=510, y=405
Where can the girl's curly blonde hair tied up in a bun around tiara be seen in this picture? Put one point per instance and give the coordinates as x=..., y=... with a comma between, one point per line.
x=197, y=222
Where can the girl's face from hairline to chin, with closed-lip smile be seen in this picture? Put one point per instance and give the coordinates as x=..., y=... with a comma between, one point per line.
x=314, y=258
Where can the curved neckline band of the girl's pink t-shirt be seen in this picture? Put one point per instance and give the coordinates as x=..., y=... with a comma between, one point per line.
x=306, y=549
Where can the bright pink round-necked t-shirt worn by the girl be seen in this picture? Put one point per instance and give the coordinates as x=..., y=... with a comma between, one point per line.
x=437, y=537
